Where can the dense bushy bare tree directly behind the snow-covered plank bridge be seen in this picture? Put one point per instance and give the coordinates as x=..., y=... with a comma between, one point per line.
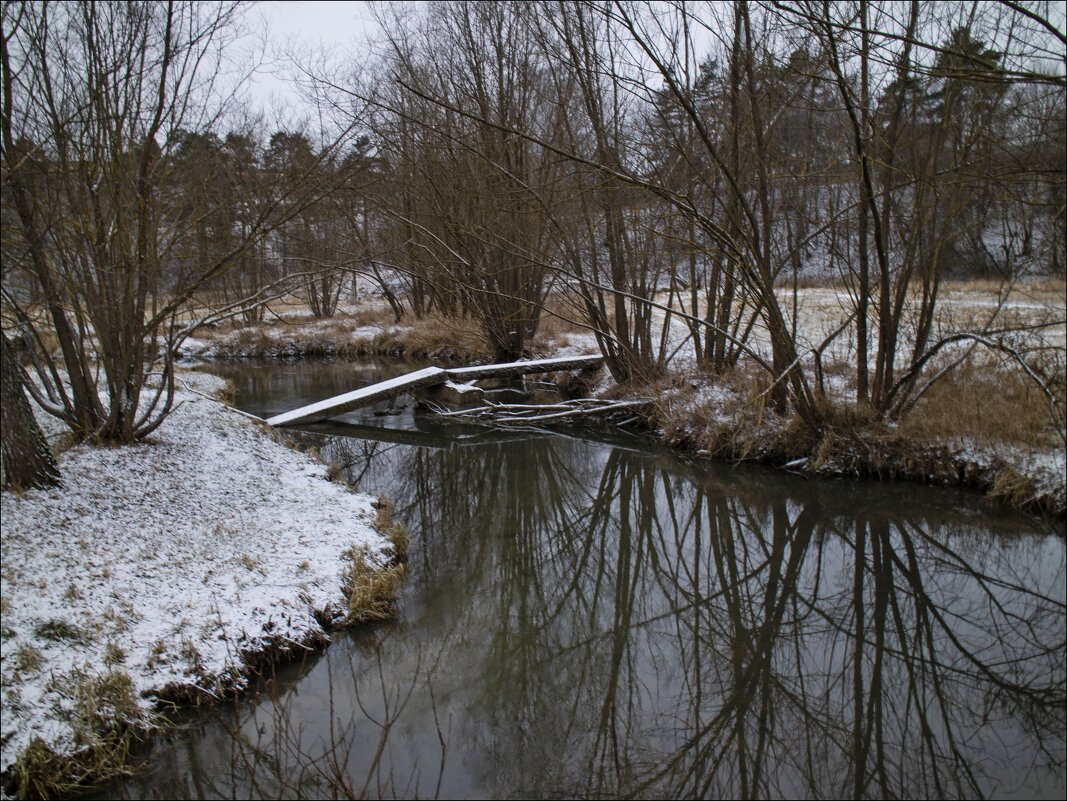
x=470, y=210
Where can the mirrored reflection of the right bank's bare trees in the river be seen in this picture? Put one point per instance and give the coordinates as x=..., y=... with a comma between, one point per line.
x=702, y=640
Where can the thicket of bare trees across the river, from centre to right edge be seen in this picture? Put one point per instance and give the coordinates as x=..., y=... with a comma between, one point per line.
x=691, y=161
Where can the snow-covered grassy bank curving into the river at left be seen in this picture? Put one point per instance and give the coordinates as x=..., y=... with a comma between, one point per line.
x=164, y=568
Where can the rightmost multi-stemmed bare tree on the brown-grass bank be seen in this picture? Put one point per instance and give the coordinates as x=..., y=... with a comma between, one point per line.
x=931, y=109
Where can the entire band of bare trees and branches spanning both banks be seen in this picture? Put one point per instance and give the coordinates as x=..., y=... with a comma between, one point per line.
x=646, y=164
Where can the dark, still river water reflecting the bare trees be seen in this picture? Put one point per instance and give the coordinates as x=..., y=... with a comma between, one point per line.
x=595, y=617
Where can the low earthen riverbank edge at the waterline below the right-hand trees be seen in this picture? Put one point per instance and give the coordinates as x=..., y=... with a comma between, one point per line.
x=719, y=421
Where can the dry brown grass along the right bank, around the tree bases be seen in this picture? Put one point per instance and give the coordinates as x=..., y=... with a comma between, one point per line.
x=980, y=405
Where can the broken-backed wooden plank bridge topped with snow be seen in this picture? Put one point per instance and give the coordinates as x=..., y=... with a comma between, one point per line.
x=428, y=377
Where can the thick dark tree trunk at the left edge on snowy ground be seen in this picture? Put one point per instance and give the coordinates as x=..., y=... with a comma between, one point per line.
x=27, y=459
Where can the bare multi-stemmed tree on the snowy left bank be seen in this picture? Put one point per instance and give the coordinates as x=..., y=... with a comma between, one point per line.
x=98, y=99
